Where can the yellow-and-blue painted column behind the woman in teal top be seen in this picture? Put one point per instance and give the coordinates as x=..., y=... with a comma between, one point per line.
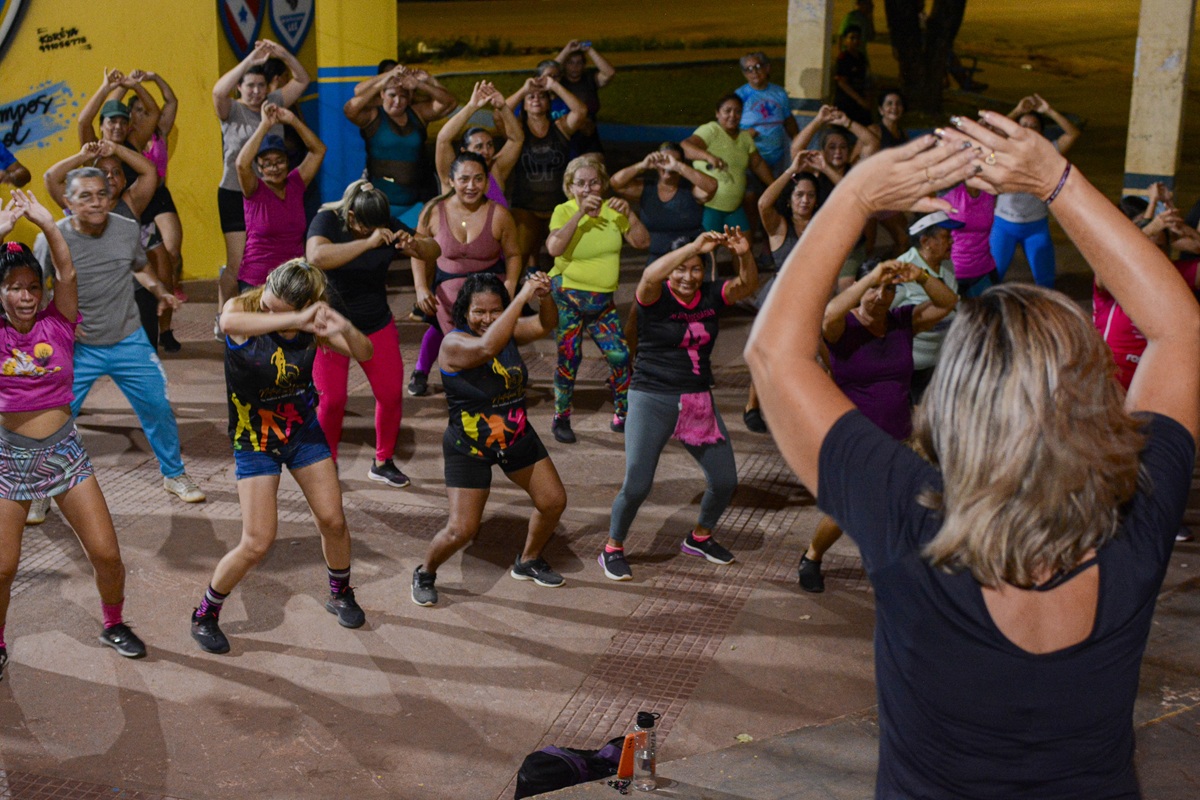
x=352, y=39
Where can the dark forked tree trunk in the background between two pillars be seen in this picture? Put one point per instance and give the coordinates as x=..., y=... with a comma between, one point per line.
x=922, y=46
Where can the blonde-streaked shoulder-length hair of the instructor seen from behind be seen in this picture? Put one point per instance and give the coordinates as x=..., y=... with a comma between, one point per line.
x=1028, y=424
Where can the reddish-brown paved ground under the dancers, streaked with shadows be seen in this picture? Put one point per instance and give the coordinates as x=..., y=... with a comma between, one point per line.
x=445, y=702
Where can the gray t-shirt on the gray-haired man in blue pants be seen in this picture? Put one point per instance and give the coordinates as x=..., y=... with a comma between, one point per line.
x=104, y=266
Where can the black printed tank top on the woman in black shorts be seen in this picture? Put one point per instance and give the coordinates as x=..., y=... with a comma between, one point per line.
x=488, y=412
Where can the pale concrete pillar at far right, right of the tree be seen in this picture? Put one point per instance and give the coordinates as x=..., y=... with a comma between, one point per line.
x=1160, y=87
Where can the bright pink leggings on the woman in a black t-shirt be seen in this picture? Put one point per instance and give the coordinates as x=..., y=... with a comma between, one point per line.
x=386, y=374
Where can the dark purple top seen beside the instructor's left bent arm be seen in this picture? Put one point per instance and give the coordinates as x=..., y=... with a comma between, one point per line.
x=877, y=372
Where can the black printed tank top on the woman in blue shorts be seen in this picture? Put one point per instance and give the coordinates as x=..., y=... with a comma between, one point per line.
x=271, y=392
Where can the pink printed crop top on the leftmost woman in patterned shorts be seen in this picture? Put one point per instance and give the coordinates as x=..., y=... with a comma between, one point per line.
x=37, y=369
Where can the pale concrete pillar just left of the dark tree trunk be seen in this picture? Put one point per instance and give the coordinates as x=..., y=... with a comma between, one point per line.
x=809, y=53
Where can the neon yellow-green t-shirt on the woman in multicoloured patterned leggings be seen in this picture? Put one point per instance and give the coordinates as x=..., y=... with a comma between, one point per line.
x=592, y=262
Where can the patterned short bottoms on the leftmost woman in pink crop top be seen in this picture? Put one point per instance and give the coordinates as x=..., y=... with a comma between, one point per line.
x=33, y=470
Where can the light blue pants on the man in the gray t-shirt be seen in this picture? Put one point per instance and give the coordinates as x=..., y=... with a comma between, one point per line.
x=136, y=370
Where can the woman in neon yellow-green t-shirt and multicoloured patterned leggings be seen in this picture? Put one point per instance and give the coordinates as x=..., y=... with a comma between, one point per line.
x=586, y=236
